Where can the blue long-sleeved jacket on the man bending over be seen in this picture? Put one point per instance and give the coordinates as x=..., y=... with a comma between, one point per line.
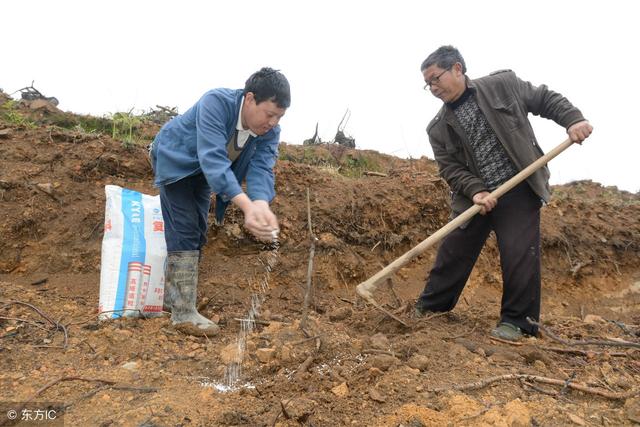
x=196, y=142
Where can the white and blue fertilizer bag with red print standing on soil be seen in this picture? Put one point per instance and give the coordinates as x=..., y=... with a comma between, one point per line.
x=133, y=255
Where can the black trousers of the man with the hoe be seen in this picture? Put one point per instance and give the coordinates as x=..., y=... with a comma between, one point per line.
x=516, y=222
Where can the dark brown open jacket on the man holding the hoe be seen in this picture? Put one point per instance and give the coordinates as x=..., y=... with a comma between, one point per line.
x=505, y=101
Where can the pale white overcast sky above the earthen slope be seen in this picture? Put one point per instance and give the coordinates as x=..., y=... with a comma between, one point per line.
x=99, y=57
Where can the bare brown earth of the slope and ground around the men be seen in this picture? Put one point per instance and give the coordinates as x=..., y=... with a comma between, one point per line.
x=362, y=367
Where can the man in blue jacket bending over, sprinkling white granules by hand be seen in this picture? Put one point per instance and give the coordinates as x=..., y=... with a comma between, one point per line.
x=226, y=137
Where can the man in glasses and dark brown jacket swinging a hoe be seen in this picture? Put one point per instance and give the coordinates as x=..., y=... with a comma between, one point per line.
x=481, y=137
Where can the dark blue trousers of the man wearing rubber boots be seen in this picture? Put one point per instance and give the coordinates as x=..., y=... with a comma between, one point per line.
x=185, y=210
